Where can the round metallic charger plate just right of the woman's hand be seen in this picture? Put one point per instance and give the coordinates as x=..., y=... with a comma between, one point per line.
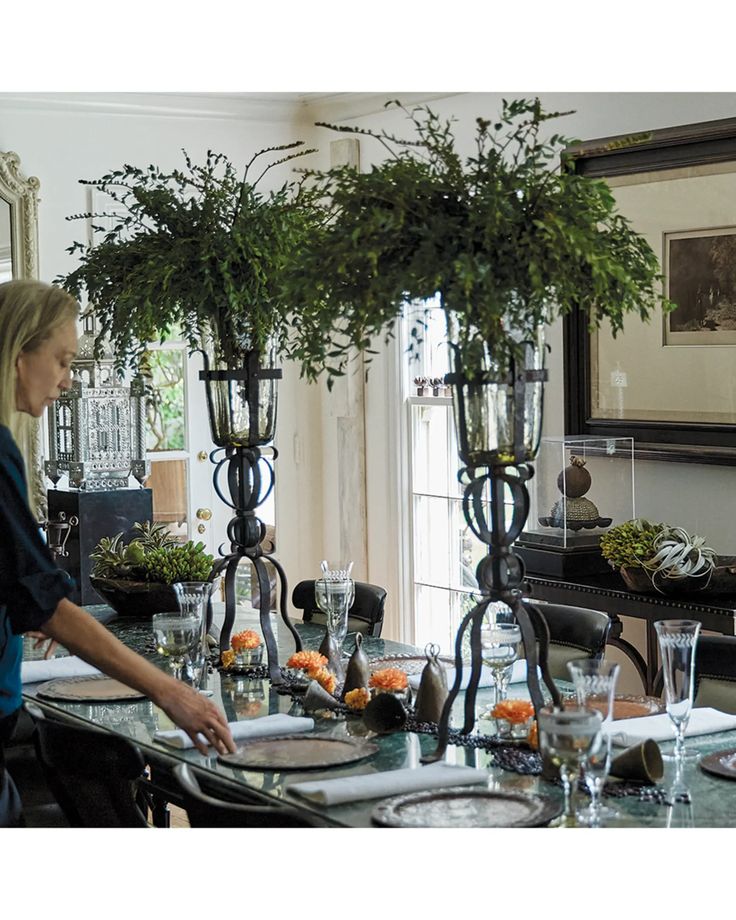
x=298, y=752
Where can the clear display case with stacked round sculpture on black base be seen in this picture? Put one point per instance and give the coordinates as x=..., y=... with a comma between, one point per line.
x=582, y=486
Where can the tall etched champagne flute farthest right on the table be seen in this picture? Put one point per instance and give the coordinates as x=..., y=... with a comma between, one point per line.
x=677, y=643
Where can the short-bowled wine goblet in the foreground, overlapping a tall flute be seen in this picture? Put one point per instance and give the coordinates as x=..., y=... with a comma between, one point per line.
x=567, y=737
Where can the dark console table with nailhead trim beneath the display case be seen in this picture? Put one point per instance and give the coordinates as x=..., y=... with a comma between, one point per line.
x=608, y=593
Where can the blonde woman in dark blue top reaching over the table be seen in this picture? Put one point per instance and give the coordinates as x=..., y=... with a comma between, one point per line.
x=38, y=341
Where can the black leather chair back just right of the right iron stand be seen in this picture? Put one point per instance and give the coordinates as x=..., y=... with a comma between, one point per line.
x=574, y=632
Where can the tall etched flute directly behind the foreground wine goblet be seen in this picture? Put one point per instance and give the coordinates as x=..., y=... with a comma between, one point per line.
x=595, y=688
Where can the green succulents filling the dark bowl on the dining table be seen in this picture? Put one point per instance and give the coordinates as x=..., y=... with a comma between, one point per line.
x=152, y=555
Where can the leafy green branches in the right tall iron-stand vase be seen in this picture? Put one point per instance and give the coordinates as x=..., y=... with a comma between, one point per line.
x=506, y=237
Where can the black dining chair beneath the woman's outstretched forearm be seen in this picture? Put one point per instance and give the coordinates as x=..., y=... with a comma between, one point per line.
x=93, y=774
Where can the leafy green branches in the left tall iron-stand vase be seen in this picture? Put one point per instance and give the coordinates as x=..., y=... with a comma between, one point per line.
x=202, y=248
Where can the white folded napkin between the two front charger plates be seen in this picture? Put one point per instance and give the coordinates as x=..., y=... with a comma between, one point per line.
x=394, y=782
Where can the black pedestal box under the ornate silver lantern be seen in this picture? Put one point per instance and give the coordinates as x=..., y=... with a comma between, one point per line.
x=101, y=514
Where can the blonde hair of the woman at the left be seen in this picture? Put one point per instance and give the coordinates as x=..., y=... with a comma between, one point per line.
x=30, y=312
